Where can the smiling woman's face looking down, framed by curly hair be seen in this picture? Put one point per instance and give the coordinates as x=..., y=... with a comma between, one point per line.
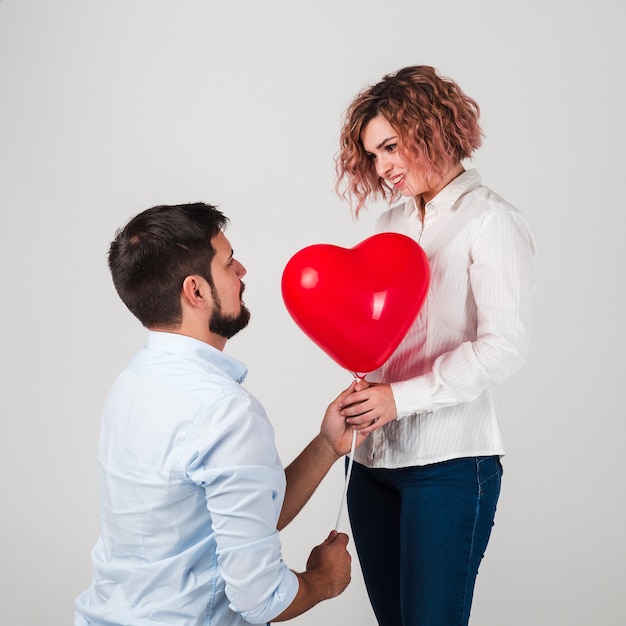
x=381, y=143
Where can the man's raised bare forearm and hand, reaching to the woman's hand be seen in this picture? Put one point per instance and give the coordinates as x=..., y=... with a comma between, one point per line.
x=308, y=469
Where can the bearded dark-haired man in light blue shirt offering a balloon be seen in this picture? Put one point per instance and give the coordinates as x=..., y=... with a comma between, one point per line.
x=192, y=491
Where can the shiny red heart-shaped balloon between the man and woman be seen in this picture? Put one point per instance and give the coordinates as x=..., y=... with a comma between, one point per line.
x=357, y=303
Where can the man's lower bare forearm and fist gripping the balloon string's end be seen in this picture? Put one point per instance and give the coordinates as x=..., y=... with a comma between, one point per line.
x=327, y=575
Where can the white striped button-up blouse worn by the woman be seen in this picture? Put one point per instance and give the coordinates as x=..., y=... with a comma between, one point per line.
x=471, y=334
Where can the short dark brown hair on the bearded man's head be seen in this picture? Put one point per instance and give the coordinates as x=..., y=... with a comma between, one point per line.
x=152, y=255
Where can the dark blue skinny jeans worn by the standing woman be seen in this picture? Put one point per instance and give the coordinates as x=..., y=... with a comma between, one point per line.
x=420, y=534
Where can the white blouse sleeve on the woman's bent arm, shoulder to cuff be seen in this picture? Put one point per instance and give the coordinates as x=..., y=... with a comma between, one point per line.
x=501, y=278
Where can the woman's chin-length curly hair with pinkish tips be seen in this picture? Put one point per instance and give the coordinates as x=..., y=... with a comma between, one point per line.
x=436, y=121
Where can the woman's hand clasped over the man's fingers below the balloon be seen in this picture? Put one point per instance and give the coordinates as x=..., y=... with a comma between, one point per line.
x=369, y=406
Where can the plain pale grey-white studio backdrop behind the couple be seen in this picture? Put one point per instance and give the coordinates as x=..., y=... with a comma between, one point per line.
x=107, y=108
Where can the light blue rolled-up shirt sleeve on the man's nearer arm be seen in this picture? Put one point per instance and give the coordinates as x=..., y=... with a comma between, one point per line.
x=244, y=483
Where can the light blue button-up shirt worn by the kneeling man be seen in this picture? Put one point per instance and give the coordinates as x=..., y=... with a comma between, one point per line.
x=191, y=487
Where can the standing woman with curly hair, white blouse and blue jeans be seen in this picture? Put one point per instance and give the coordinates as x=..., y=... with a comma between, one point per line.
x=425, y=484
